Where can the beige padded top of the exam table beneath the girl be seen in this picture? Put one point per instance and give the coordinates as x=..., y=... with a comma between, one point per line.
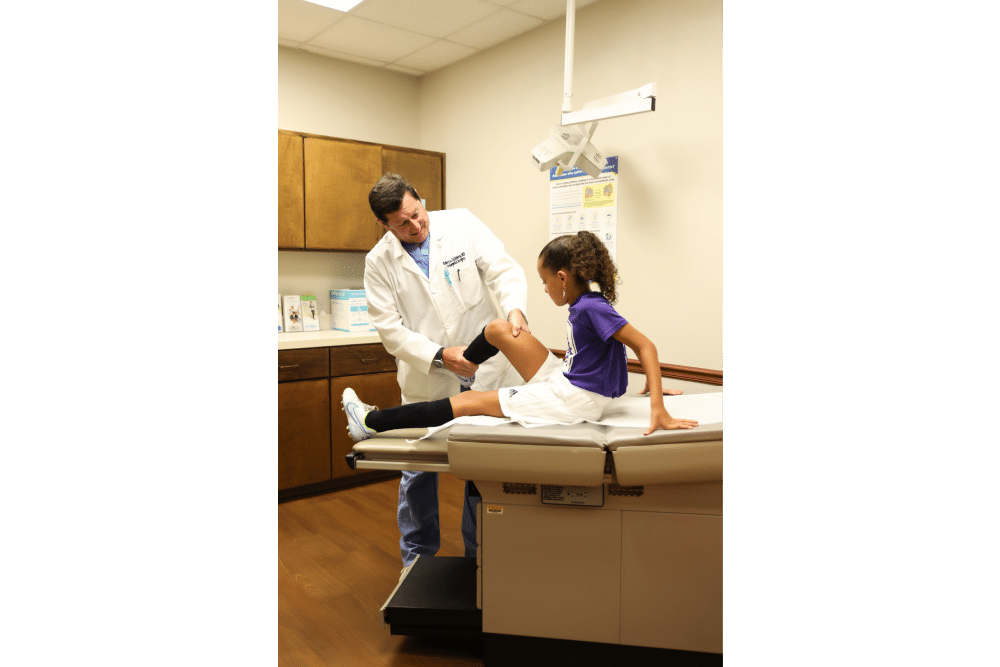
x=486, y=448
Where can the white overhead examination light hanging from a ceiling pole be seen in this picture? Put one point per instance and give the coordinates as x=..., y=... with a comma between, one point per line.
x=568, y=148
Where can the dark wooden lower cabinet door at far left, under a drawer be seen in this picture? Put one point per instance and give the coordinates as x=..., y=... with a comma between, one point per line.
x=303, y=433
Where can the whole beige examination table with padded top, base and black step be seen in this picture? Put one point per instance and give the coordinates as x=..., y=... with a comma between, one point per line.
x=589, y=534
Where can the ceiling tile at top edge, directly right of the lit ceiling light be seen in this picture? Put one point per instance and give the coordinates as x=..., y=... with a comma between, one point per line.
x=429, y=17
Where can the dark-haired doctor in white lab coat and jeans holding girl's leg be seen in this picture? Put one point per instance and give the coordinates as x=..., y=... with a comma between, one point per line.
x=427, y=283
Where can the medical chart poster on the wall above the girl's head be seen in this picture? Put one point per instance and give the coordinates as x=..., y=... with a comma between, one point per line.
x=578, y=202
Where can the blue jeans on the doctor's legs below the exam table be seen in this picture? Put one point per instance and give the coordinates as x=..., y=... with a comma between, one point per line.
x=419, y=523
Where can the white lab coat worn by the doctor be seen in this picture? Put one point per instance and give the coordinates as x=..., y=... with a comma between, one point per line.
x=415, y=315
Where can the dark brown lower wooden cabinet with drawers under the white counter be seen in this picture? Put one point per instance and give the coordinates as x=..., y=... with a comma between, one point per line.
x=312, y=429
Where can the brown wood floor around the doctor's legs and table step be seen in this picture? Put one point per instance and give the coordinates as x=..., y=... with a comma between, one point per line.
x=338, y=561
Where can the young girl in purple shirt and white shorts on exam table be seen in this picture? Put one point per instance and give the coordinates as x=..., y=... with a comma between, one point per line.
x=575, y=389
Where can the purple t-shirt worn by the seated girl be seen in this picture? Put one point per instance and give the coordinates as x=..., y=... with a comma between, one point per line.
x=594, y=360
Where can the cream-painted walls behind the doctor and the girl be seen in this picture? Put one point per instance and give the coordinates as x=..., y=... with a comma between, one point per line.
x=670, y=186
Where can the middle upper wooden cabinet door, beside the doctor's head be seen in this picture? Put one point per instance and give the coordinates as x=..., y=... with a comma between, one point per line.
x=338, y=177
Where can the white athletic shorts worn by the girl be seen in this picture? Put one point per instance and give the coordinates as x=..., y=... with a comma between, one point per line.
x=549, y=398
